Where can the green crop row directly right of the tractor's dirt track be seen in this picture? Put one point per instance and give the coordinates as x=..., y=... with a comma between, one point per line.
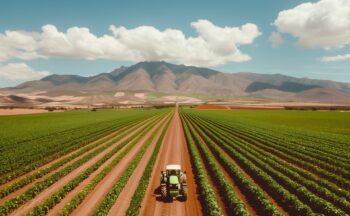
x=206, y=192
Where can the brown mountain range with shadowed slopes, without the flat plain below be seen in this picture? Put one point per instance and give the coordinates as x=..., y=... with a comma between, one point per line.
x=174, y=79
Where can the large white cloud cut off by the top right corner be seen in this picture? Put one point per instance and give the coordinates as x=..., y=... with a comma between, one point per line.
x=324, y=24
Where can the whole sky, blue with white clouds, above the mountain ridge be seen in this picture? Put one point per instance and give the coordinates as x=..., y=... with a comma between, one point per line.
x=87, y=37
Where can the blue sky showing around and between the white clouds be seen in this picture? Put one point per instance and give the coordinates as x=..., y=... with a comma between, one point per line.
x=288, y=58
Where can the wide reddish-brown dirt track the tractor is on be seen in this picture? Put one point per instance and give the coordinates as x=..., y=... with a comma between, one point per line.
x=173, y=150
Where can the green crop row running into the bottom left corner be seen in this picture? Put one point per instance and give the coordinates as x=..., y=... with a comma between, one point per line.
x=14, y=203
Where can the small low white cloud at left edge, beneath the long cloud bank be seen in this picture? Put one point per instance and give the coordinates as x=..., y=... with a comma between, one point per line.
x=20, y=71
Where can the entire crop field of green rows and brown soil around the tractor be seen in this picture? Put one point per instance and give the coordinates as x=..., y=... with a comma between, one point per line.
x=237, y=162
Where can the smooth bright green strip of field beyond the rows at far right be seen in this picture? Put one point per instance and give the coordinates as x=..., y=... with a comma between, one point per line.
x=321, y=121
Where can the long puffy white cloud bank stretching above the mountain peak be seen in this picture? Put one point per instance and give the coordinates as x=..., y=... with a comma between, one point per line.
x=213, y=45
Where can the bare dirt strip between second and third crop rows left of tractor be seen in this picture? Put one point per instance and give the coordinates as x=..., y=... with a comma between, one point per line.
x=96, y=196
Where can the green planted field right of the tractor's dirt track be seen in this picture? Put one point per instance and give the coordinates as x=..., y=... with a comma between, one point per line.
x=300, y=159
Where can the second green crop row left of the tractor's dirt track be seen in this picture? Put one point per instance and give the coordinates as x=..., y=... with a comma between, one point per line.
x=118, y=186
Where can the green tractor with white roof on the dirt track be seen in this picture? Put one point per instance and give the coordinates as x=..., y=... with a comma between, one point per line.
x=173, y=183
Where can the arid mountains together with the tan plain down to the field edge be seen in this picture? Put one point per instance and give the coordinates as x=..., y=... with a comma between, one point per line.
x=148, y=83
